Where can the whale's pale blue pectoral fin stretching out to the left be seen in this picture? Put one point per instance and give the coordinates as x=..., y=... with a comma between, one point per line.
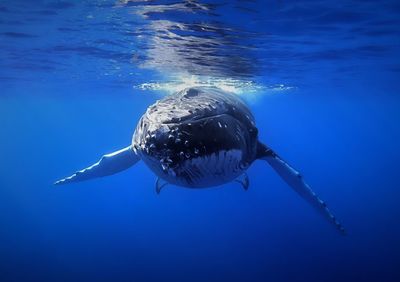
x=107, y=165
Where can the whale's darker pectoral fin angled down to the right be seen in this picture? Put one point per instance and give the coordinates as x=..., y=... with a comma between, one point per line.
x=294, y=179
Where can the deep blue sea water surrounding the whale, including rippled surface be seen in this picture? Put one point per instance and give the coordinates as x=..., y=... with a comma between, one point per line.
x=322, y=79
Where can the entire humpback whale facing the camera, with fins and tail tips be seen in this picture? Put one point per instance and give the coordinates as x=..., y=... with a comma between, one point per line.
x=197, y=138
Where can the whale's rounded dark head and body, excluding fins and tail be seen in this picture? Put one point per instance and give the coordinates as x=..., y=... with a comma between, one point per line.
x=197, y=137
